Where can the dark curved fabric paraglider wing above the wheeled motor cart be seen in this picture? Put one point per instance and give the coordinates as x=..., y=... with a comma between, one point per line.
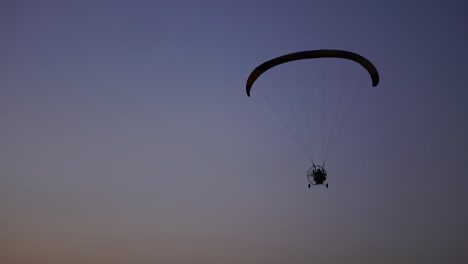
x=313, y=54
